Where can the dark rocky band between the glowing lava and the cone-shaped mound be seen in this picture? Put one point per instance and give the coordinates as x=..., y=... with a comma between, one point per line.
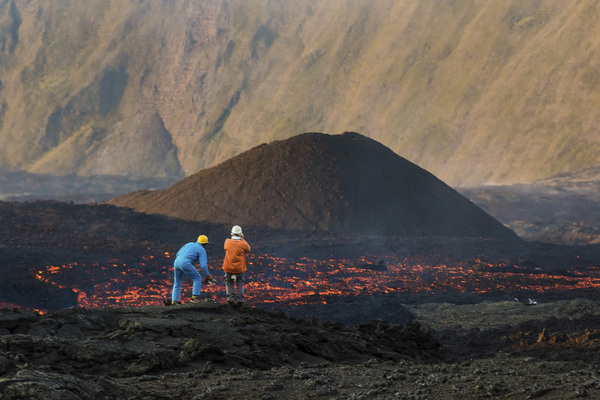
x=41, y=233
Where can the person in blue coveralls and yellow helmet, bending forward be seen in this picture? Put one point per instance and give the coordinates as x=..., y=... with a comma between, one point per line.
x=191, y=253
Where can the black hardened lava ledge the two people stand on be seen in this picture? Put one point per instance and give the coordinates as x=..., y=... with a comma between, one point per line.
x=131, y=353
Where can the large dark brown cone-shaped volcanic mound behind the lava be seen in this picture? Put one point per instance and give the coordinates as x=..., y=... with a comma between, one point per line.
x=336, y=183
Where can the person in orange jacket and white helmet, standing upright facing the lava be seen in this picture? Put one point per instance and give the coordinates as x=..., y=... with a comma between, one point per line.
x=234, y=266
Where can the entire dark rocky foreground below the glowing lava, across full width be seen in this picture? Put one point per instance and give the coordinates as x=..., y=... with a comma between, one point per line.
x=208, y=351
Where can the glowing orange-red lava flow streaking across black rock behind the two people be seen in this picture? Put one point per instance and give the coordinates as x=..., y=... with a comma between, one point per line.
x=273, y=279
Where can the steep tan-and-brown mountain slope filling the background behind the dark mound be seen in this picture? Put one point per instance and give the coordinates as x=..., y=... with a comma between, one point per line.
x=474, y=91
